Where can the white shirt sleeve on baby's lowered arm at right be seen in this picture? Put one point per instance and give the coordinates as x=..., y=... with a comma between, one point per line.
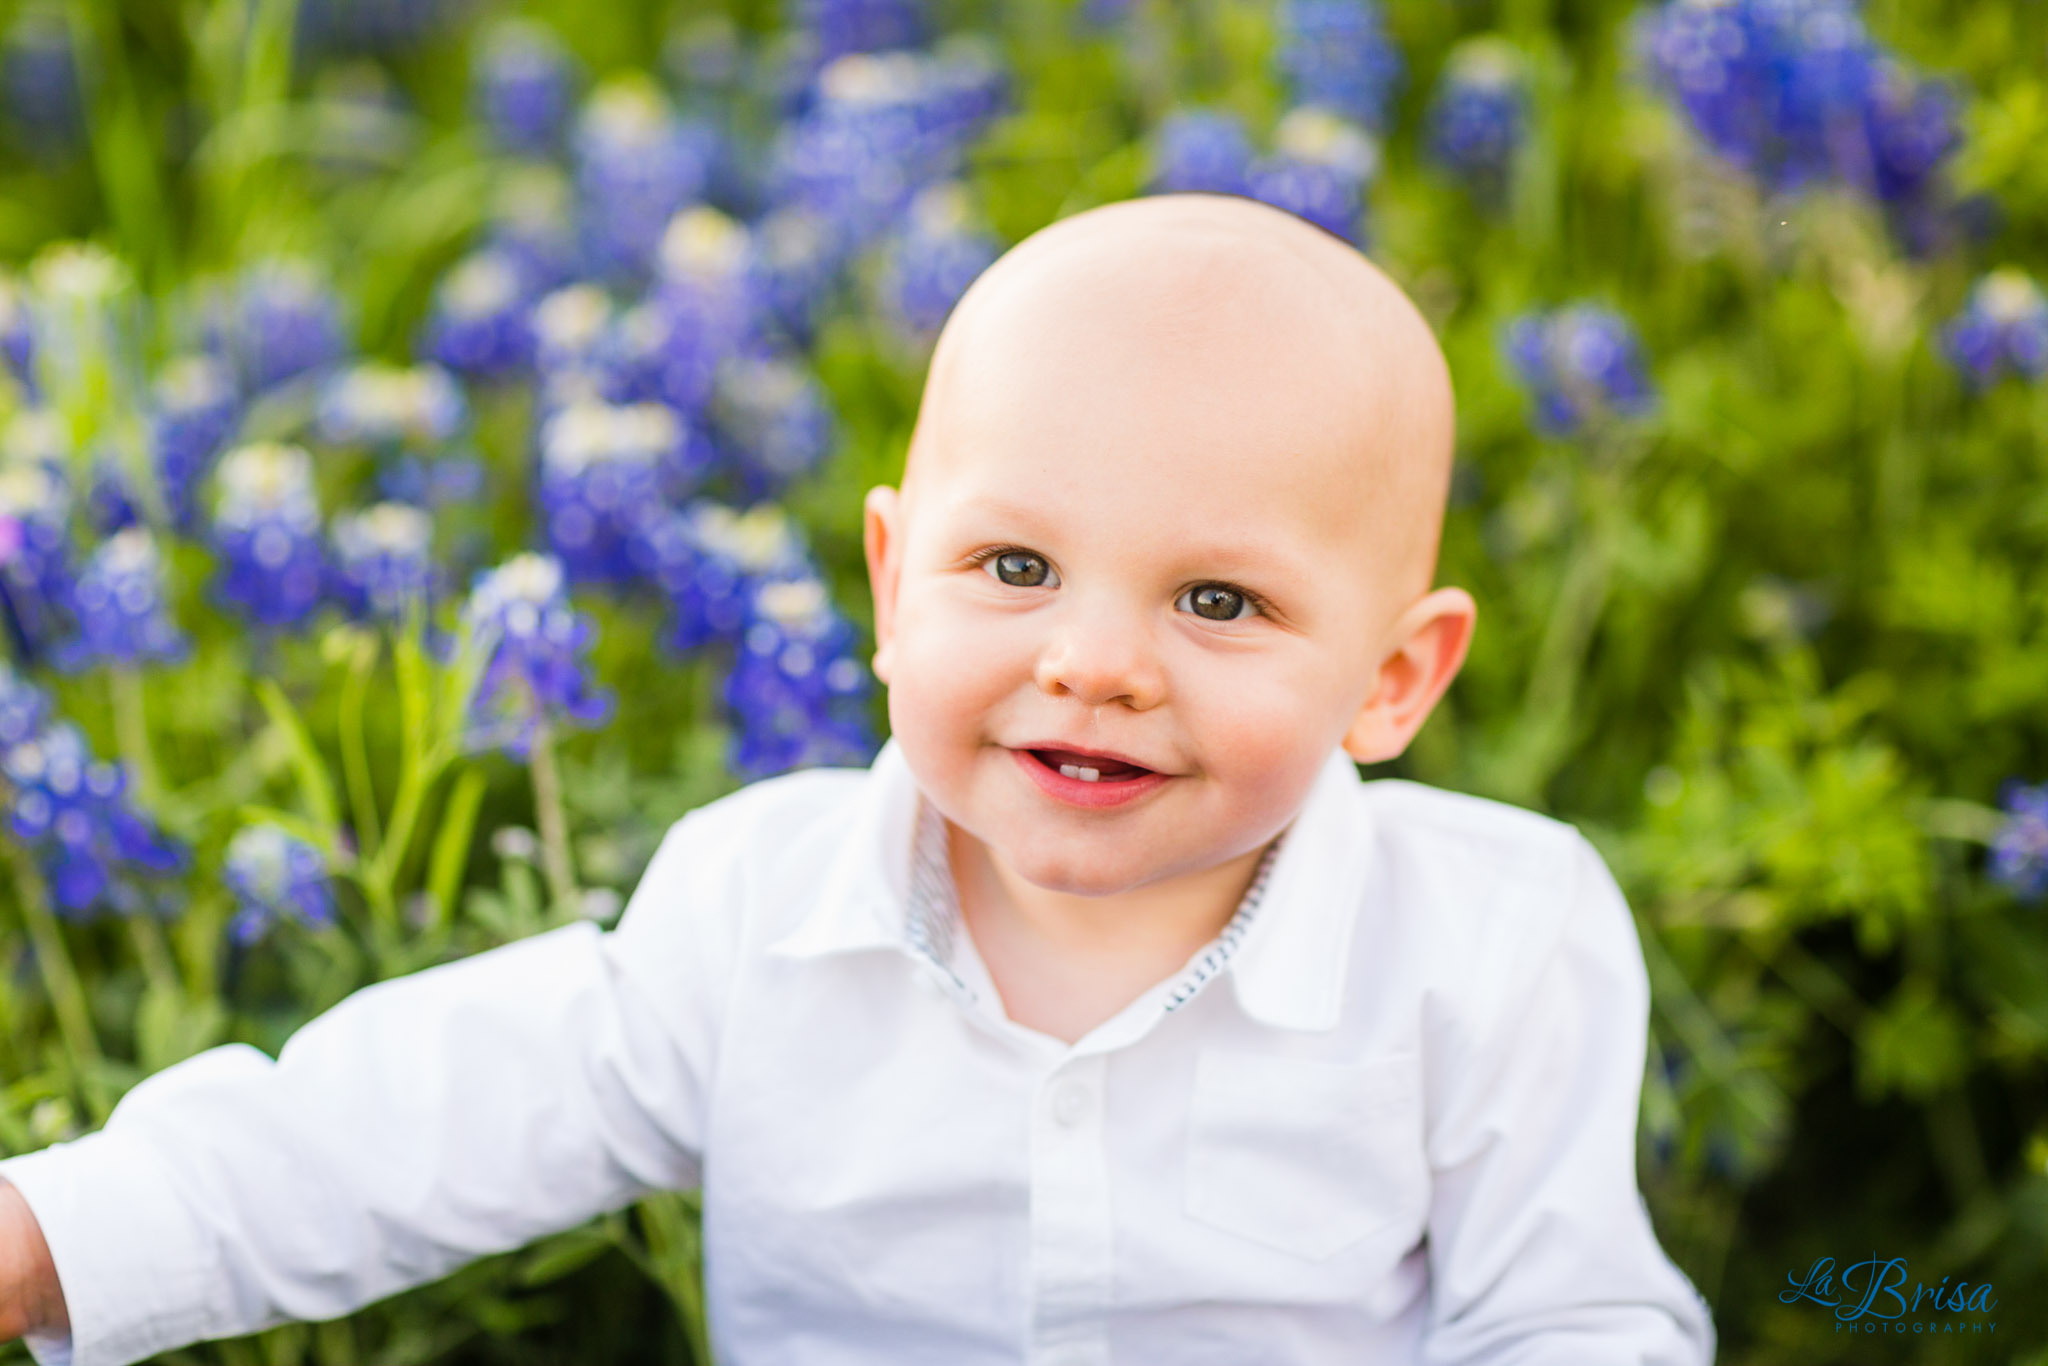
x=1541, y=1248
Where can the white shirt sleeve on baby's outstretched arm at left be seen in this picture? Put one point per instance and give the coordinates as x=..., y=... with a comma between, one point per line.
x=419, y=1125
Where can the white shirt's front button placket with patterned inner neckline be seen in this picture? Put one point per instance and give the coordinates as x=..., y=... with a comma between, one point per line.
x=1072, y=1234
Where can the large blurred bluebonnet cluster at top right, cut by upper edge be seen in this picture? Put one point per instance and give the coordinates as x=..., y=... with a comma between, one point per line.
x=1797, y=91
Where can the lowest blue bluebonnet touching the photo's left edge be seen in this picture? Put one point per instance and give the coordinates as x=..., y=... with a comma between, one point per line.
x=75, y=814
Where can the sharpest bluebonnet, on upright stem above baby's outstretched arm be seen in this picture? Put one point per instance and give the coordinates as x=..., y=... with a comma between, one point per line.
x=521, y=615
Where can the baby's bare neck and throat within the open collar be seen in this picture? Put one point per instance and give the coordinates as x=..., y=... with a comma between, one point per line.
x=1066, y=964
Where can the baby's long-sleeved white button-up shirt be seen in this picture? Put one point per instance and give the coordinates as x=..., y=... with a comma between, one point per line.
x=1385, y=1117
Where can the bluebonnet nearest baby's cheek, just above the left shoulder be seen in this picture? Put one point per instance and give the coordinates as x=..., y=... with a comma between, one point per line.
x=798, y=689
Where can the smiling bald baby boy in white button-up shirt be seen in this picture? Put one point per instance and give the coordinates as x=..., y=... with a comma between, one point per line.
x=1109, y=1017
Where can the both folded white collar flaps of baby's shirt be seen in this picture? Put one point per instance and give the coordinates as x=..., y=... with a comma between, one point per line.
x=1287, y=970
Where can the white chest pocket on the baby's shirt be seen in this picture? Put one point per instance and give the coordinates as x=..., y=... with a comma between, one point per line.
x=1306, y=1156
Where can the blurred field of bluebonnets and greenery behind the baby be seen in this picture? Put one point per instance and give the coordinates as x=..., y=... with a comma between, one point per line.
x=431, y=460
